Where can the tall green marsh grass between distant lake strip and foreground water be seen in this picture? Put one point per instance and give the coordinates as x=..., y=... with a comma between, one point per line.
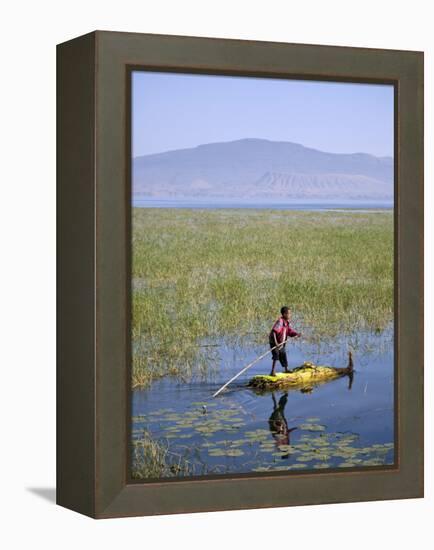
x=200, y=275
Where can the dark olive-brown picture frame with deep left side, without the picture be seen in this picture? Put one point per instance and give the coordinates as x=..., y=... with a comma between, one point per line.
x=94, y=235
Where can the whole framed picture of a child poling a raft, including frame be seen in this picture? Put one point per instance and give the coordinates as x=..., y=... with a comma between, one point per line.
x=240, y=274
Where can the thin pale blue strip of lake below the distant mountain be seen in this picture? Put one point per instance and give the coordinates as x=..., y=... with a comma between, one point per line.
x=274, y=205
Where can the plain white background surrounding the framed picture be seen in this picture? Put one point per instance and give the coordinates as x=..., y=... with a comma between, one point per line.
x=29, y=33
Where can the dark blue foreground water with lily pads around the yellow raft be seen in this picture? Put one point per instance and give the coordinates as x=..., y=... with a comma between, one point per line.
x=338, y=424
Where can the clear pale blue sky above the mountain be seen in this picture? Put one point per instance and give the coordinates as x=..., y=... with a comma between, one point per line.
x=176, y=111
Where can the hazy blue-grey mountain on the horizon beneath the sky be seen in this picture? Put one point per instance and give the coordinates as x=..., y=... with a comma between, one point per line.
x=261, y=169
